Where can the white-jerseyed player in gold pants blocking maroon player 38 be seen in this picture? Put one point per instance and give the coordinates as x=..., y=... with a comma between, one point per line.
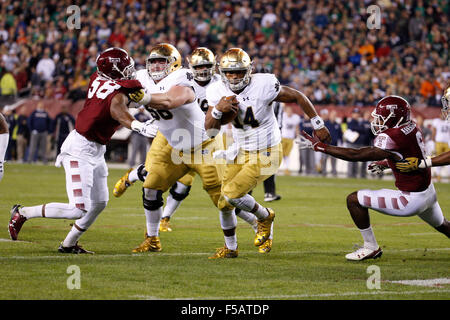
x=181, y=144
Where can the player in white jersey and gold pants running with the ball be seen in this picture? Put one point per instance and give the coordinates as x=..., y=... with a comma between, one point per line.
x=255, y=127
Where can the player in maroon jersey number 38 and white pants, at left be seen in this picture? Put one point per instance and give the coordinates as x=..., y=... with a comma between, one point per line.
x=82, y=153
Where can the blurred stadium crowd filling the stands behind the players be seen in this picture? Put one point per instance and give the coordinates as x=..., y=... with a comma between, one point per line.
x=323, y=48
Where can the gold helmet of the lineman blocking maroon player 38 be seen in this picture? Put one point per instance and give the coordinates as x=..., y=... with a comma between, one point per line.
x=163, y=51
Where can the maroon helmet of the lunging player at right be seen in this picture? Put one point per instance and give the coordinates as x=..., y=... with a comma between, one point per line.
x=390, y=112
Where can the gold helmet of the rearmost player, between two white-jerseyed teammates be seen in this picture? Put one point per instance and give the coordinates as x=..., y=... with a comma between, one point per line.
x=202, y=57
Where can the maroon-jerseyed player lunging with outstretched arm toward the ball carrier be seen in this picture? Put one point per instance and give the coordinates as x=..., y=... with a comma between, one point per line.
x=397, y=137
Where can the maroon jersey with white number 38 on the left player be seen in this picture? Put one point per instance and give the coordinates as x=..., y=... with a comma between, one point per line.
x=94, y=121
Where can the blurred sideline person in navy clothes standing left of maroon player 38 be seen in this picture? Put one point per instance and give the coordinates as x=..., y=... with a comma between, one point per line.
x=39, y=124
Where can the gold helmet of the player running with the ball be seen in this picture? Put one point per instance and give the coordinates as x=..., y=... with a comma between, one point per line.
x=235, y=59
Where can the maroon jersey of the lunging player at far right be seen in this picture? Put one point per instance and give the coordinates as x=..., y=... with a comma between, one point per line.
x=407, y=141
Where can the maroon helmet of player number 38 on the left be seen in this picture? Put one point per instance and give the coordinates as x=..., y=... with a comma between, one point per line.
x=115, y=64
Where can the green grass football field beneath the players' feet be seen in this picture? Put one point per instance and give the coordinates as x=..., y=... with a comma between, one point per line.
x=313, y=232
